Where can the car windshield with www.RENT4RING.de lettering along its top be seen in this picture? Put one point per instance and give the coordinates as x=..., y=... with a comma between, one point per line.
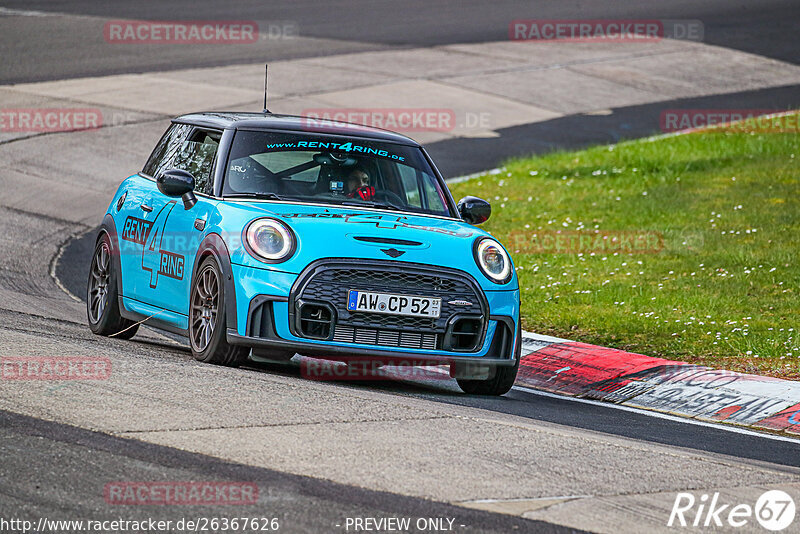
x=333, y=170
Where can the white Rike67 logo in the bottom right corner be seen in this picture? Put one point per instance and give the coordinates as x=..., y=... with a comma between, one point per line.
x=774, y=510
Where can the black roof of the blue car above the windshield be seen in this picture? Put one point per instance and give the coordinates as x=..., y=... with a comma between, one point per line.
x=269, y=121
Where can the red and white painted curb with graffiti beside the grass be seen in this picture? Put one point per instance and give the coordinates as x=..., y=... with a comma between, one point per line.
x=679, y=388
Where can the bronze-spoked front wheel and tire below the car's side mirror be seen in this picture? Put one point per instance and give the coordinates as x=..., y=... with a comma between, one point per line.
x=207, y=321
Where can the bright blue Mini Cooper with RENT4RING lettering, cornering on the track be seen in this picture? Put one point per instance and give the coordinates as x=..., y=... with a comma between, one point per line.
x=261, y=236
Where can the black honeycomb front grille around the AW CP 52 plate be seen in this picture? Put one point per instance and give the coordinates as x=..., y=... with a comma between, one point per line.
x=329, y=281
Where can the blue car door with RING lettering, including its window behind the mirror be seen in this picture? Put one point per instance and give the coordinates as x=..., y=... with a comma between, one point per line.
x=177, y=232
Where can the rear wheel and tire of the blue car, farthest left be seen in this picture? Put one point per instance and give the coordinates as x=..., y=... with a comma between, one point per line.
x=102, y=302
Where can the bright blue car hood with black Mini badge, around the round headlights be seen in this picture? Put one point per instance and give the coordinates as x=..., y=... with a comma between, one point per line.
x=350, y=232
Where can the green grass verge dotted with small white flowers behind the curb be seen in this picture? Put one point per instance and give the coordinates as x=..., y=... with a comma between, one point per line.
x=683, y=247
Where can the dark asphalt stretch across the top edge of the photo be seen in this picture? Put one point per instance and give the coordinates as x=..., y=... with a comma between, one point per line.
x=768, y=28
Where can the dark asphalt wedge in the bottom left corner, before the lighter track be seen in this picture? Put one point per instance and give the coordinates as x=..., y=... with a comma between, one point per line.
x=43, y=488
